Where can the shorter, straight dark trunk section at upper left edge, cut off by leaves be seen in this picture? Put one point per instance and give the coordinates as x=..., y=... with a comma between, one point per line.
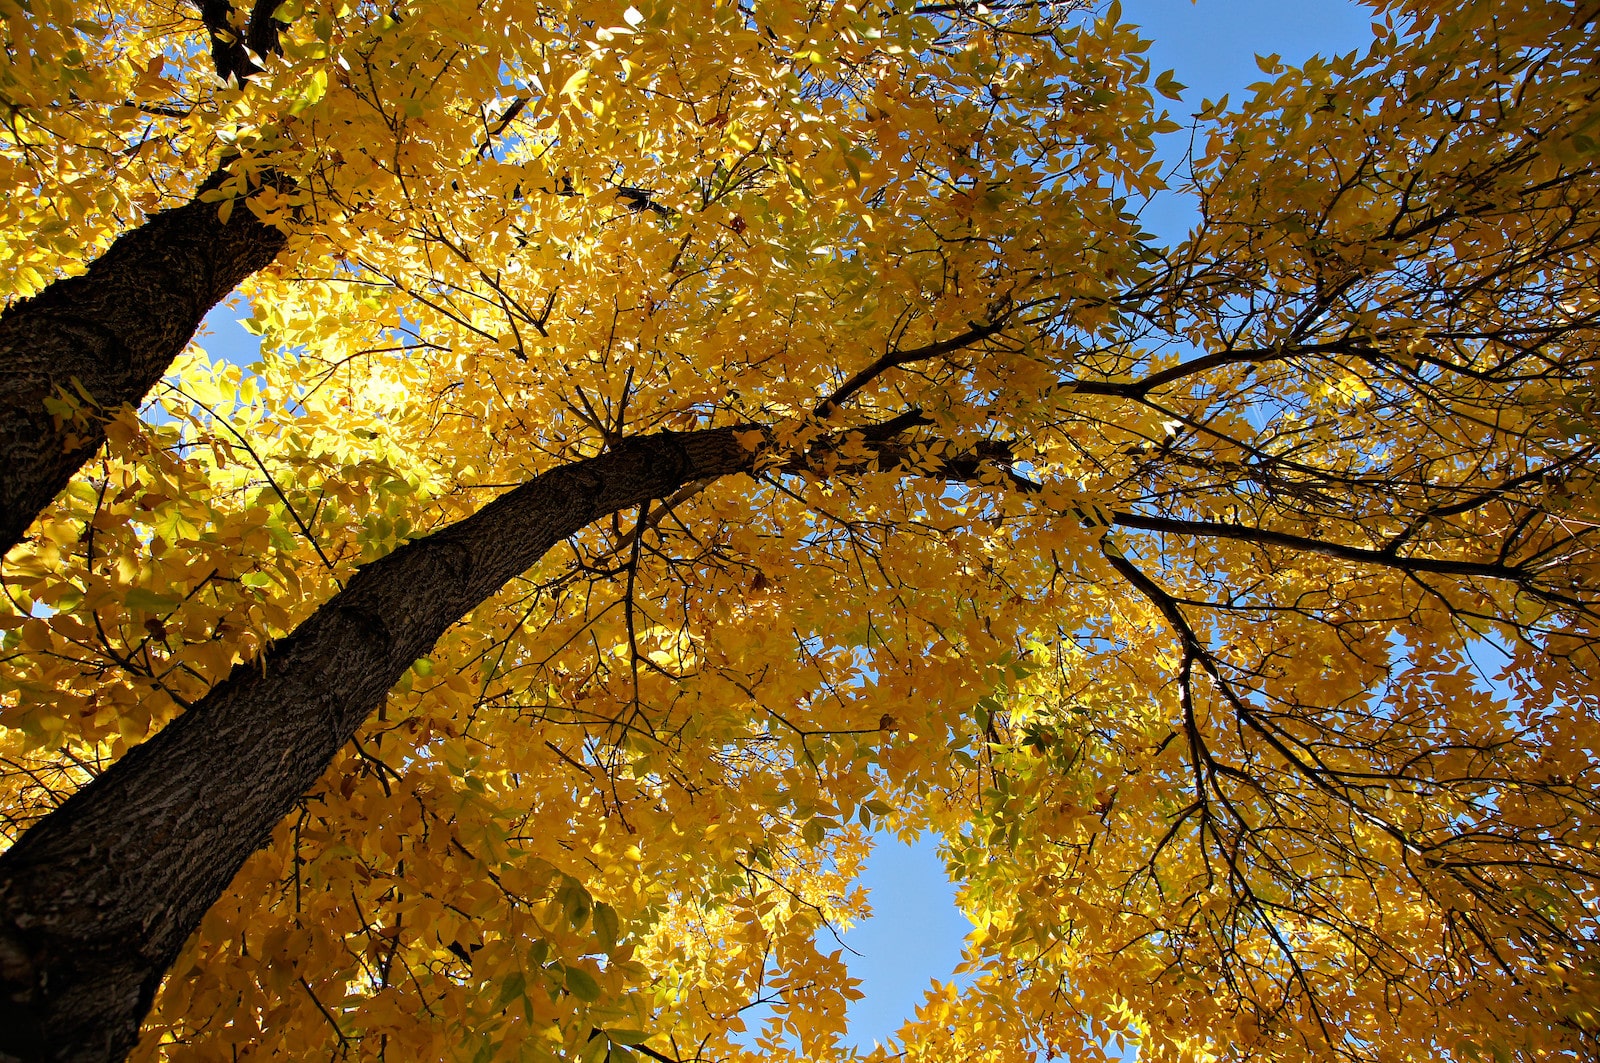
x=113, y=332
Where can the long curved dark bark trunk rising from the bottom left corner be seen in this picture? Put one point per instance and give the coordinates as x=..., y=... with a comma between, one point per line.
x=98, y=899
